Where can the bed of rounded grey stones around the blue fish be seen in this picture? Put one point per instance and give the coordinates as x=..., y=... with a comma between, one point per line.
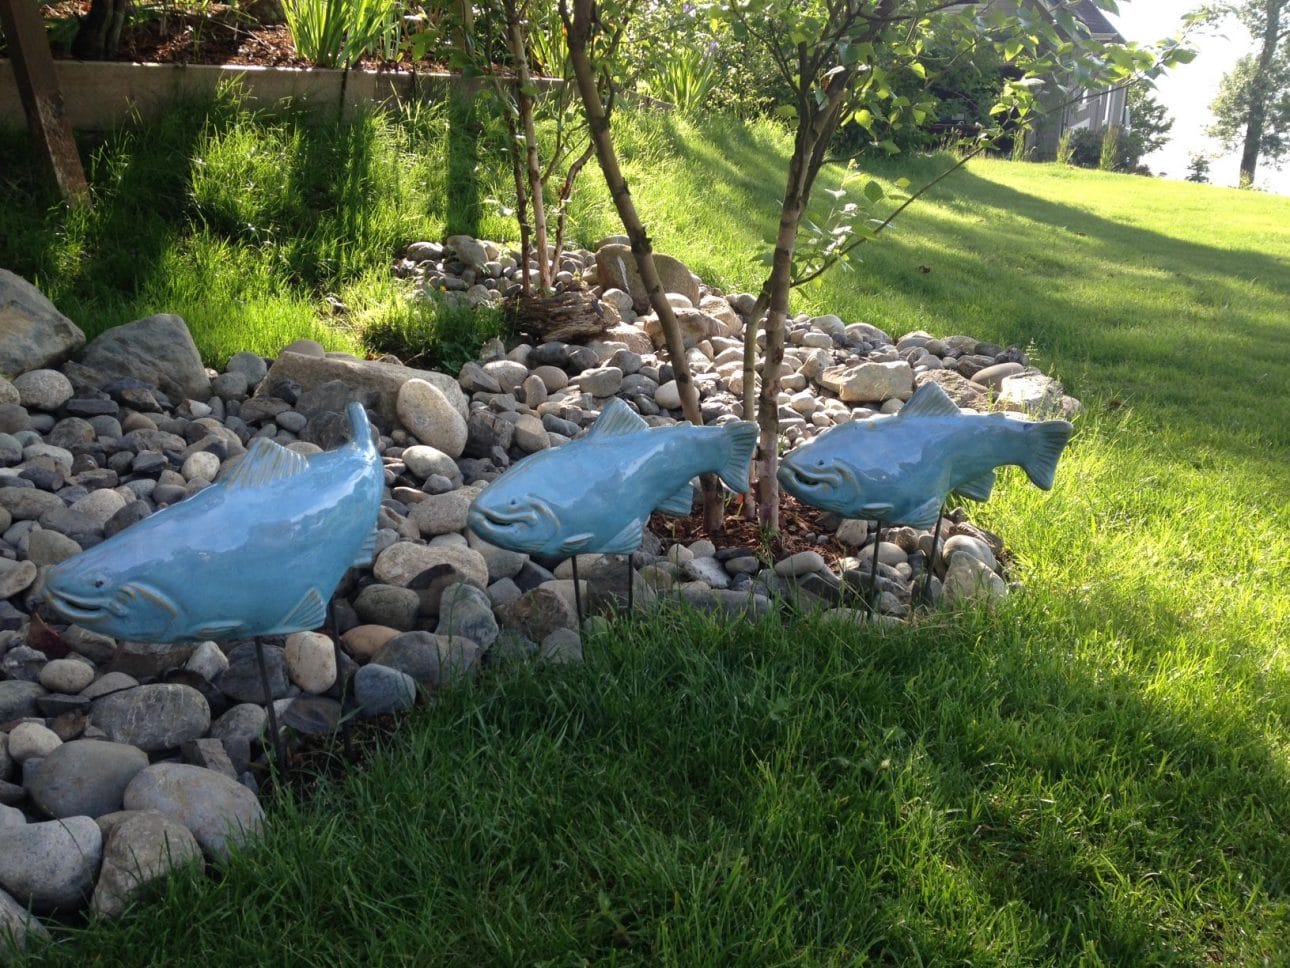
x=121, y=760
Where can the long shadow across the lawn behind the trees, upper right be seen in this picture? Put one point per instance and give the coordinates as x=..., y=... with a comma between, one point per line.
x=1169, y=326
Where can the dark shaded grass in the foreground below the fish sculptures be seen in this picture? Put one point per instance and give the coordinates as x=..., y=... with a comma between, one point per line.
x=715, y=793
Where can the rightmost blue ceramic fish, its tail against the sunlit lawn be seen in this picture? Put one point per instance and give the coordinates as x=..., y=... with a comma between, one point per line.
x=898, y=469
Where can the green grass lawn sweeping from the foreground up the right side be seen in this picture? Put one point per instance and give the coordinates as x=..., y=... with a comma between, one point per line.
x=1095, y=774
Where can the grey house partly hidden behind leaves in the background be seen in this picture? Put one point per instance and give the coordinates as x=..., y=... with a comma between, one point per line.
x=1095, y=110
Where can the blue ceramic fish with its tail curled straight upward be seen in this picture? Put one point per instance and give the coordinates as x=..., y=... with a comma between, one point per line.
x=259, y=553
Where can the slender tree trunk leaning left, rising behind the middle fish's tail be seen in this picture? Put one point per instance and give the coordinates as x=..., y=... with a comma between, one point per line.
x=579, y=24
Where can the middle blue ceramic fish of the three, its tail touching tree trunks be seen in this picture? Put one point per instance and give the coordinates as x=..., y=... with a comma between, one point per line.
x=595, y=494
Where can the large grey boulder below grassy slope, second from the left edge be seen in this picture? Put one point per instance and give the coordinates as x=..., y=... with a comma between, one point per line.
x=159, y=350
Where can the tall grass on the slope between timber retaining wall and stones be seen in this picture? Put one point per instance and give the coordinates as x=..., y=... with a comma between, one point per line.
x=257, y=228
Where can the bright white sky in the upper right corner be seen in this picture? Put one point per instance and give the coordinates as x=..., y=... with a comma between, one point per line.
x=1187, y=92
